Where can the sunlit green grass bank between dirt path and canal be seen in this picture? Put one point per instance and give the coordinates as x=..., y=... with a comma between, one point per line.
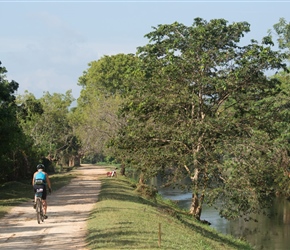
x=122, y=219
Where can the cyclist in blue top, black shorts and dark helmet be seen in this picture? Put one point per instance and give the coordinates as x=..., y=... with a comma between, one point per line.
x=41, y=180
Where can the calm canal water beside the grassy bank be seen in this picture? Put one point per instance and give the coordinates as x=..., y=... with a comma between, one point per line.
x=269, y=233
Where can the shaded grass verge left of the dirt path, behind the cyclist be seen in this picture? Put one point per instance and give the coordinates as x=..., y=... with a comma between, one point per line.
x=15, y=192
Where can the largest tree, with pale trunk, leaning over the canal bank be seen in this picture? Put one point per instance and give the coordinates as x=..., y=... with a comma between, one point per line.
x=197, y=114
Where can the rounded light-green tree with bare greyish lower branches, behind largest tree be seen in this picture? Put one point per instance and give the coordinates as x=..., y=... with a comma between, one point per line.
x=104, y=85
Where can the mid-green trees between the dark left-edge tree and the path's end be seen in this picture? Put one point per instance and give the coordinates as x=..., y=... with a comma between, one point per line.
x=47, y=122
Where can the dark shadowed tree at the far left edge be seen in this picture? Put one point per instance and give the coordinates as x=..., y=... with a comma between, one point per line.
x=14, y=146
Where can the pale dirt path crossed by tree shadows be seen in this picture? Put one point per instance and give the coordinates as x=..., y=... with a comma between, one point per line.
x=68, y=210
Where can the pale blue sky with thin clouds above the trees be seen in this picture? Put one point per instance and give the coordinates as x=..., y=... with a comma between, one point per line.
x=47, y=45
